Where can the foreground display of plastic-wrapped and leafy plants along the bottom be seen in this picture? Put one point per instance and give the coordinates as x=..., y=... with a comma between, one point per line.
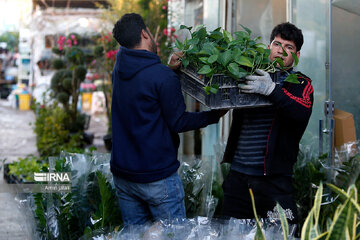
x=328, y=200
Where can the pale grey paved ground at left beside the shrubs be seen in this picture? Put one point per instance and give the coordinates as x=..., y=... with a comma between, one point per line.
x=17, y=139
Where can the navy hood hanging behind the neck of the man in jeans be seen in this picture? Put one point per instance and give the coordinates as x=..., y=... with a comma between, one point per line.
x=129, y=62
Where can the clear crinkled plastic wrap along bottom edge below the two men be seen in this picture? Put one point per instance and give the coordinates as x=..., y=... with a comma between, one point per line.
x=200, y=228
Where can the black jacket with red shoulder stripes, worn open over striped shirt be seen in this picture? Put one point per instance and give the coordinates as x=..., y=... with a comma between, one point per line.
x=293, y=103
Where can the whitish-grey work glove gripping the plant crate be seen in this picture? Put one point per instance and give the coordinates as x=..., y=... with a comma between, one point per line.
x=261, y=84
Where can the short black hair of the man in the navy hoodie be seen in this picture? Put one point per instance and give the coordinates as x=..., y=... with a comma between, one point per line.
x=127, y=30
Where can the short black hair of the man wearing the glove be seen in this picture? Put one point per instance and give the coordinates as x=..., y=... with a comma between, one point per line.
x=288, y=32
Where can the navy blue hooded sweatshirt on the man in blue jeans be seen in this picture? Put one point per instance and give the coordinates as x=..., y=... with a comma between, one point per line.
x=148, y=111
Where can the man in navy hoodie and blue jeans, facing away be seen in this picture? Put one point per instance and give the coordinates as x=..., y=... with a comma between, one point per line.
x=148, y=111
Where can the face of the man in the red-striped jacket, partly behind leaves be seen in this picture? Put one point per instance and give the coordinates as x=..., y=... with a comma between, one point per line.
x=277, y=51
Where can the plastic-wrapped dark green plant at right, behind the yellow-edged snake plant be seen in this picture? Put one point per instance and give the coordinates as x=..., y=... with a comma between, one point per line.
x=311, y=170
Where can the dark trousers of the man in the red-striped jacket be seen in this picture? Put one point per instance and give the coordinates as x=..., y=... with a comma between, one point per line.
x=267, y=191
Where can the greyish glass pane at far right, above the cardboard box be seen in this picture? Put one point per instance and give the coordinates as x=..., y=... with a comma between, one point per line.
x=345, y=70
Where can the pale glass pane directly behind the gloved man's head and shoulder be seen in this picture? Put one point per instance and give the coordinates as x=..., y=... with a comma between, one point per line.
x=314, y=24
